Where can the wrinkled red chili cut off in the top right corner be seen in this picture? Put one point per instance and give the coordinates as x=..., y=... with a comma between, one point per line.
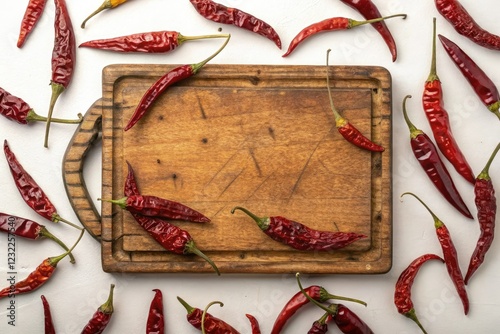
x=464, y=24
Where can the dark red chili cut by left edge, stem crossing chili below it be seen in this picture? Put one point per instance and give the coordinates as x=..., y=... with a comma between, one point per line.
x=29, y=229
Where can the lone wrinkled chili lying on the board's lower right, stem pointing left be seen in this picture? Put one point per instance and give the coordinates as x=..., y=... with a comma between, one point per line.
x=299, y=236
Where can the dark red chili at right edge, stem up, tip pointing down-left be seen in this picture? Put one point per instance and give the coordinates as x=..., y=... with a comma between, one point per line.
x=486, y=213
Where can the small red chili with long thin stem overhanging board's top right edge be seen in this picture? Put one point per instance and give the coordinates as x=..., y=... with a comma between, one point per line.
x=345, y=128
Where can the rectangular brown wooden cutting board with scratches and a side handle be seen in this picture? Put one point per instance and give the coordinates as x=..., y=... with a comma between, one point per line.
x=258, y=136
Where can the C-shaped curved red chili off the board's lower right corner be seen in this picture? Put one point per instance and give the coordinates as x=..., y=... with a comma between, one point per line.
x=402, y=293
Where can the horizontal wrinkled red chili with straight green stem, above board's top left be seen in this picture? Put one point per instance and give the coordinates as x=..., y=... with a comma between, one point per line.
x=147, y=42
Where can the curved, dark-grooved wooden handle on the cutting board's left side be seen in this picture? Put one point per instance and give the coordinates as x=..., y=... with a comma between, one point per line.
x=83, y=139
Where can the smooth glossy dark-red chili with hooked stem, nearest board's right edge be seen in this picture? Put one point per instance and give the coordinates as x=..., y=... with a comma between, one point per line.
x=427, y=155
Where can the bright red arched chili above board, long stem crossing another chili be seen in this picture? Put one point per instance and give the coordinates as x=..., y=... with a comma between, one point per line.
x=330, y=24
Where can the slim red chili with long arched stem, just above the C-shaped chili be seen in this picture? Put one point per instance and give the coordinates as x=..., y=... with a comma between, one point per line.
x=449, y=254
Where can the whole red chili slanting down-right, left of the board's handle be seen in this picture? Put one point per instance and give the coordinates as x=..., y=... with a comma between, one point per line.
x=30, y=191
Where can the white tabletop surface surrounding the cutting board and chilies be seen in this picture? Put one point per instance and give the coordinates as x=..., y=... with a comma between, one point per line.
x=75, y=291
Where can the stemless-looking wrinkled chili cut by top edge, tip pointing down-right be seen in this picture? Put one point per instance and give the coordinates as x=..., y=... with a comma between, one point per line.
x=219, y=13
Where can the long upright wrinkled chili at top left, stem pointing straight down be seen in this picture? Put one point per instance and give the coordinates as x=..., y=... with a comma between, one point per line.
x=63, y=58
